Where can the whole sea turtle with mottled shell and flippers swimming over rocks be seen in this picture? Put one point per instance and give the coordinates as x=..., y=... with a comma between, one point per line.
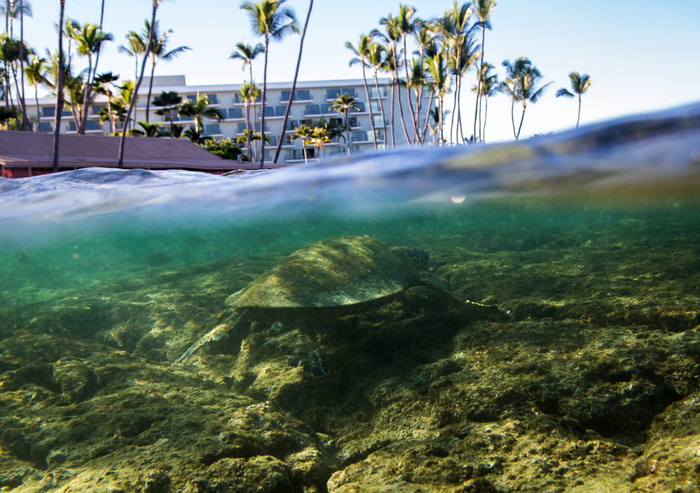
x=281, y=314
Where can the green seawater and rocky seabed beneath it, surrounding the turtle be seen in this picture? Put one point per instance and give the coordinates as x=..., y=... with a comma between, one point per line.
x=587, y=248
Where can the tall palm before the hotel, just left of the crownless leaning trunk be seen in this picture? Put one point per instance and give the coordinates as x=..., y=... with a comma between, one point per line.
x=269, y=19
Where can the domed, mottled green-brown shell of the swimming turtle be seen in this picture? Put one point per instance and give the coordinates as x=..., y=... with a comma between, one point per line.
x=332, y=272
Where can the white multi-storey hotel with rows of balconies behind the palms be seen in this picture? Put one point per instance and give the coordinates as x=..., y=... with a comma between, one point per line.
x=313, y=101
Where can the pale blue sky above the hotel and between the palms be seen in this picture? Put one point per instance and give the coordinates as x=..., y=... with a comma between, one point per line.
x=642, y=55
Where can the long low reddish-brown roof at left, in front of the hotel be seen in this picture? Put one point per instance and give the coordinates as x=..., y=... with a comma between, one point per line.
x=30, y=150
